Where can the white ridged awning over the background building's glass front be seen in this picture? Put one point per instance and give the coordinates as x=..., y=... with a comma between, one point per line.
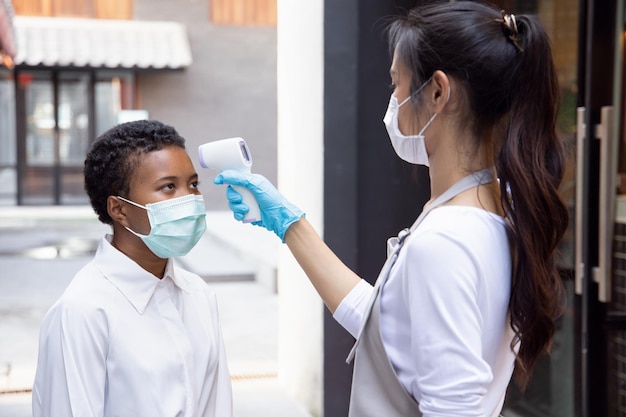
x=100, y=43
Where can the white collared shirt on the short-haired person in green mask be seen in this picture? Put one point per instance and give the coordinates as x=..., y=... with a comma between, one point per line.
x=121, y=342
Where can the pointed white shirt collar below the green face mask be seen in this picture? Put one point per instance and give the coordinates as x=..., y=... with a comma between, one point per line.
x=134, y=282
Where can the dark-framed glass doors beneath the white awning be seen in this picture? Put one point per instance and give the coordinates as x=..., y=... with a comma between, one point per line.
x=54, y=132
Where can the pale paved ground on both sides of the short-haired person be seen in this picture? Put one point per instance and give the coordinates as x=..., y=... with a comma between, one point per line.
x=41, y=250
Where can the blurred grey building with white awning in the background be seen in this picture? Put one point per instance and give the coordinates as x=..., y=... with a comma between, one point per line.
x=82, y=66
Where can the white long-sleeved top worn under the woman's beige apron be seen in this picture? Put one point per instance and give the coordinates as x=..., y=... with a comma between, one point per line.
x=444, y=313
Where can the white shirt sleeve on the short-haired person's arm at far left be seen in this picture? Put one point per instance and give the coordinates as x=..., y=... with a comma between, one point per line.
x=70, y=377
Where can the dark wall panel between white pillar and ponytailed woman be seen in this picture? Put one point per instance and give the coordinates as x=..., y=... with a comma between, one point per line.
x=369, y=193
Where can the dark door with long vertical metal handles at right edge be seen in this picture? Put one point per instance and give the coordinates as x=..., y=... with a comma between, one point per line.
x=601, y=267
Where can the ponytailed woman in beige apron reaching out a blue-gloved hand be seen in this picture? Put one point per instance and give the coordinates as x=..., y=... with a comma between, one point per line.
x=469, y=292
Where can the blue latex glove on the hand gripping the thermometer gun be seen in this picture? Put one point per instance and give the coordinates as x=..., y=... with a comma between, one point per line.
x=277, y=214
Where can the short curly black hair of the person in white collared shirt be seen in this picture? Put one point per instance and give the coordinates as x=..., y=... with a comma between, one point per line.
x=112, y=159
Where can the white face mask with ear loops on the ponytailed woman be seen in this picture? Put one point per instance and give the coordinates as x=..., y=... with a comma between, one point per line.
x=411, y=148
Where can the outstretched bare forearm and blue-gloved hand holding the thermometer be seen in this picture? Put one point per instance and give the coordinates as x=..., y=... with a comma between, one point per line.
x=329, y=275
